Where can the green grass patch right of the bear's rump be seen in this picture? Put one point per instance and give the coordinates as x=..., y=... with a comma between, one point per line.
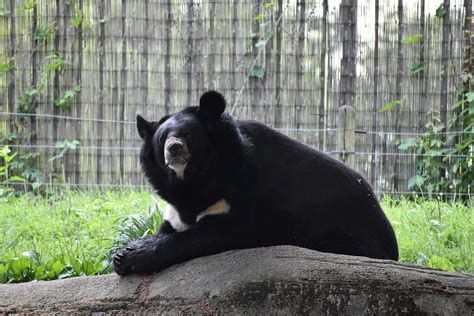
x=433, y=233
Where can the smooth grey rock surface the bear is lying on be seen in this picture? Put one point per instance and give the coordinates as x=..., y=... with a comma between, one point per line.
x=274, y=280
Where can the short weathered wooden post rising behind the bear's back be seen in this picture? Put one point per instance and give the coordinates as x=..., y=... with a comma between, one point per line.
x=346, y=135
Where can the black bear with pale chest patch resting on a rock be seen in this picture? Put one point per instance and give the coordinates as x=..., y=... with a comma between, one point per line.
x=233, y=184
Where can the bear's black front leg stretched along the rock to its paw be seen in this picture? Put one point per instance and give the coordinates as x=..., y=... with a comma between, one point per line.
x=209, y=236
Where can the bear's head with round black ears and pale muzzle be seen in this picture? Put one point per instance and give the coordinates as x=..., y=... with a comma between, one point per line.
x=178, y=147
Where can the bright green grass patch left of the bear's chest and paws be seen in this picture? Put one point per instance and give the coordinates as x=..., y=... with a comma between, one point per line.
x=68, y=233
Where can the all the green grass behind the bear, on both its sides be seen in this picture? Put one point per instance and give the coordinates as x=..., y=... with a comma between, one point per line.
x=72, y=233
